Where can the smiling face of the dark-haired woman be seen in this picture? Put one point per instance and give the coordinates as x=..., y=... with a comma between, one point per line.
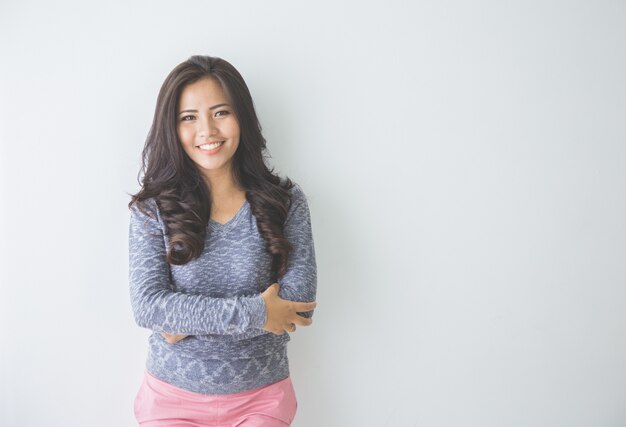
x=207, y=128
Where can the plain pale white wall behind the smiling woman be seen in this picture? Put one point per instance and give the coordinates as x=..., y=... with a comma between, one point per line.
x=465, y=164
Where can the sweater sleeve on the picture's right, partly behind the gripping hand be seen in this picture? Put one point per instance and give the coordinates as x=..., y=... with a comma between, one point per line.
x=300, y=281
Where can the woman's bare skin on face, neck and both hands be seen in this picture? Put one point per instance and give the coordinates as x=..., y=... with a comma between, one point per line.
x=205, y=115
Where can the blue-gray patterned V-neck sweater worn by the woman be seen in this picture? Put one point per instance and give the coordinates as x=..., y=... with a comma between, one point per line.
x=216, y=299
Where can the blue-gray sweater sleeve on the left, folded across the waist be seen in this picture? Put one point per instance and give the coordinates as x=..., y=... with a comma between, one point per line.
x=158, y=307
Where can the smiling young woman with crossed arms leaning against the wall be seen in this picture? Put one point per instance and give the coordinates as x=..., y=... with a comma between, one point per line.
x=222, y=260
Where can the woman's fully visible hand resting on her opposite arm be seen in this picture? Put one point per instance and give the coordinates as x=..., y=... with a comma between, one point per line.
x=282, y=314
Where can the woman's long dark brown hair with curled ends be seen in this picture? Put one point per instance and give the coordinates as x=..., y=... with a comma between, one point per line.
x=176, y=184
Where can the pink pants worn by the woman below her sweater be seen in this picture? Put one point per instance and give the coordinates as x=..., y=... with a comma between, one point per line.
x=161, y=404
